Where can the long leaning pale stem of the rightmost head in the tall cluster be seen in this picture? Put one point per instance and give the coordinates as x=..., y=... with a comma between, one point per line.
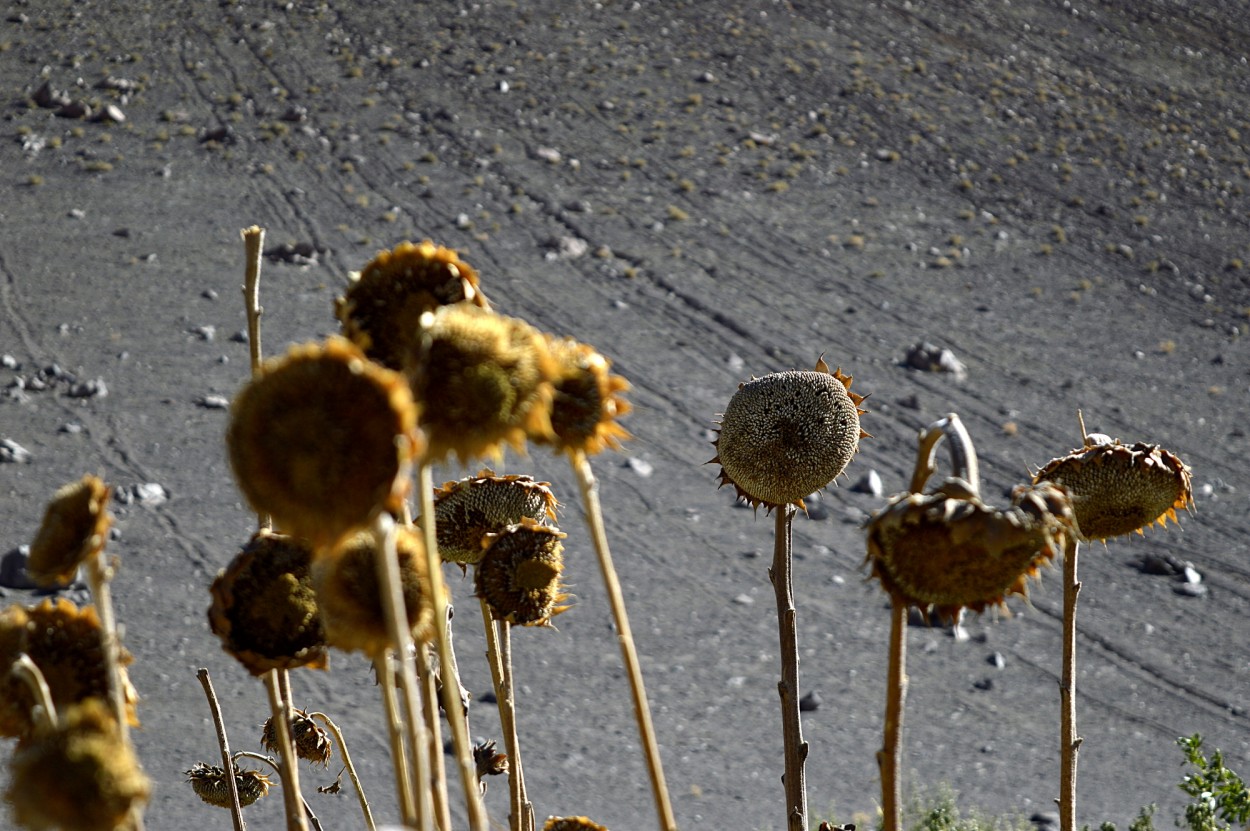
x=626, y=637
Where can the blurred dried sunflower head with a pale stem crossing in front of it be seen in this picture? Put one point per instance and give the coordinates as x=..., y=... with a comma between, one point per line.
x=351, y=599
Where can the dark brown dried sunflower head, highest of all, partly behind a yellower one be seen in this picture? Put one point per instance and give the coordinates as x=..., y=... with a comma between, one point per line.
x=382, y=309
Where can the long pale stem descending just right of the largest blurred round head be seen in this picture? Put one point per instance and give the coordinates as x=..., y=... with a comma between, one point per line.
x=452, y=705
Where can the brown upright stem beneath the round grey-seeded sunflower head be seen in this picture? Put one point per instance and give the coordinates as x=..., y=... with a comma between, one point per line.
x=792, y=727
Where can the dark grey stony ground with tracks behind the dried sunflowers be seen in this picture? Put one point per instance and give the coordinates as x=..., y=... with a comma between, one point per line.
x=706, y=192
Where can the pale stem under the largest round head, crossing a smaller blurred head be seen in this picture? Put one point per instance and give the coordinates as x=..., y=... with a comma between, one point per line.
x=392, y=588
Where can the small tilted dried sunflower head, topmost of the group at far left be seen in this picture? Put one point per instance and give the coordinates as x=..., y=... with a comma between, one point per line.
x=76, y=527
